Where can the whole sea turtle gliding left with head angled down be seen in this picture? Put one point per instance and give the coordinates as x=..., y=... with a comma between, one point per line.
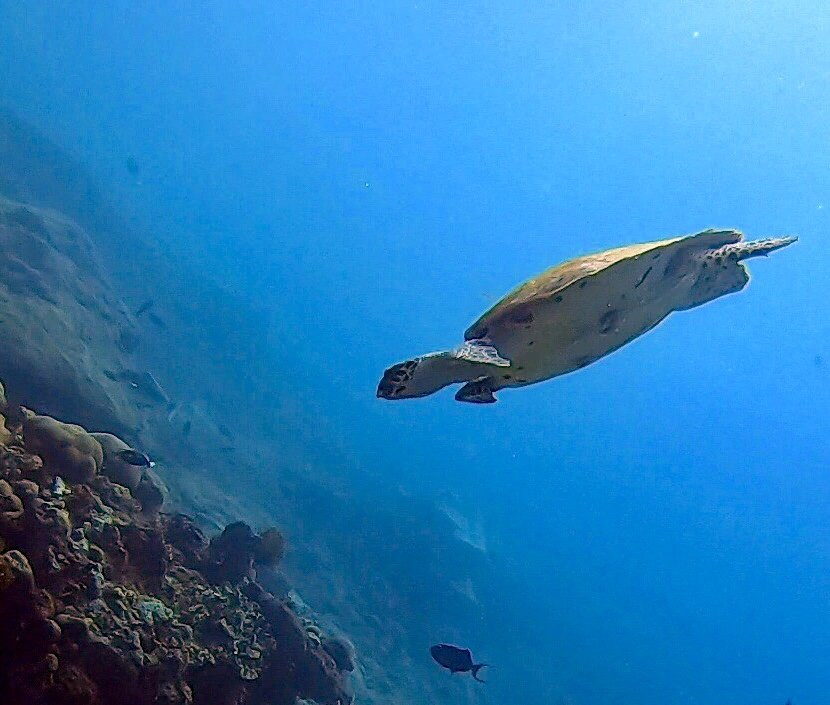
x=577, y=312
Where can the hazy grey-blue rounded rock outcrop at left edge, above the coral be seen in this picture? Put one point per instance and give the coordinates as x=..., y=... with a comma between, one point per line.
x=66, y=336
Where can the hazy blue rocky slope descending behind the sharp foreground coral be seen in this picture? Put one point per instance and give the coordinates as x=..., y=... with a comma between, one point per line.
x=205, y=389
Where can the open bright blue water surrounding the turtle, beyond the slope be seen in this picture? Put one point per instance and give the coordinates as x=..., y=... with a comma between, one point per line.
x=374, y=175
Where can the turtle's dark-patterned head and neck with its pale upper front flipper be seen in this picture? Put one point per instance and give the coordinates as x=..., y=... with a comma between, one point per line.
x=427, y=374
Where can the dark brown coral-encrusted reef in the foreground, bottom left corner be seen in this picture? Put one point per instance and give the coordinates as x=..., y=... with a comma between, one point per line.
x=101, y=602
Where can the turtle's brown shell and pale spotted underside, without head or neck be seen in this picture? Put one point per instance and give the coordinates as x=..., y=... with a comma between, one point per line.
x=576, y=312
